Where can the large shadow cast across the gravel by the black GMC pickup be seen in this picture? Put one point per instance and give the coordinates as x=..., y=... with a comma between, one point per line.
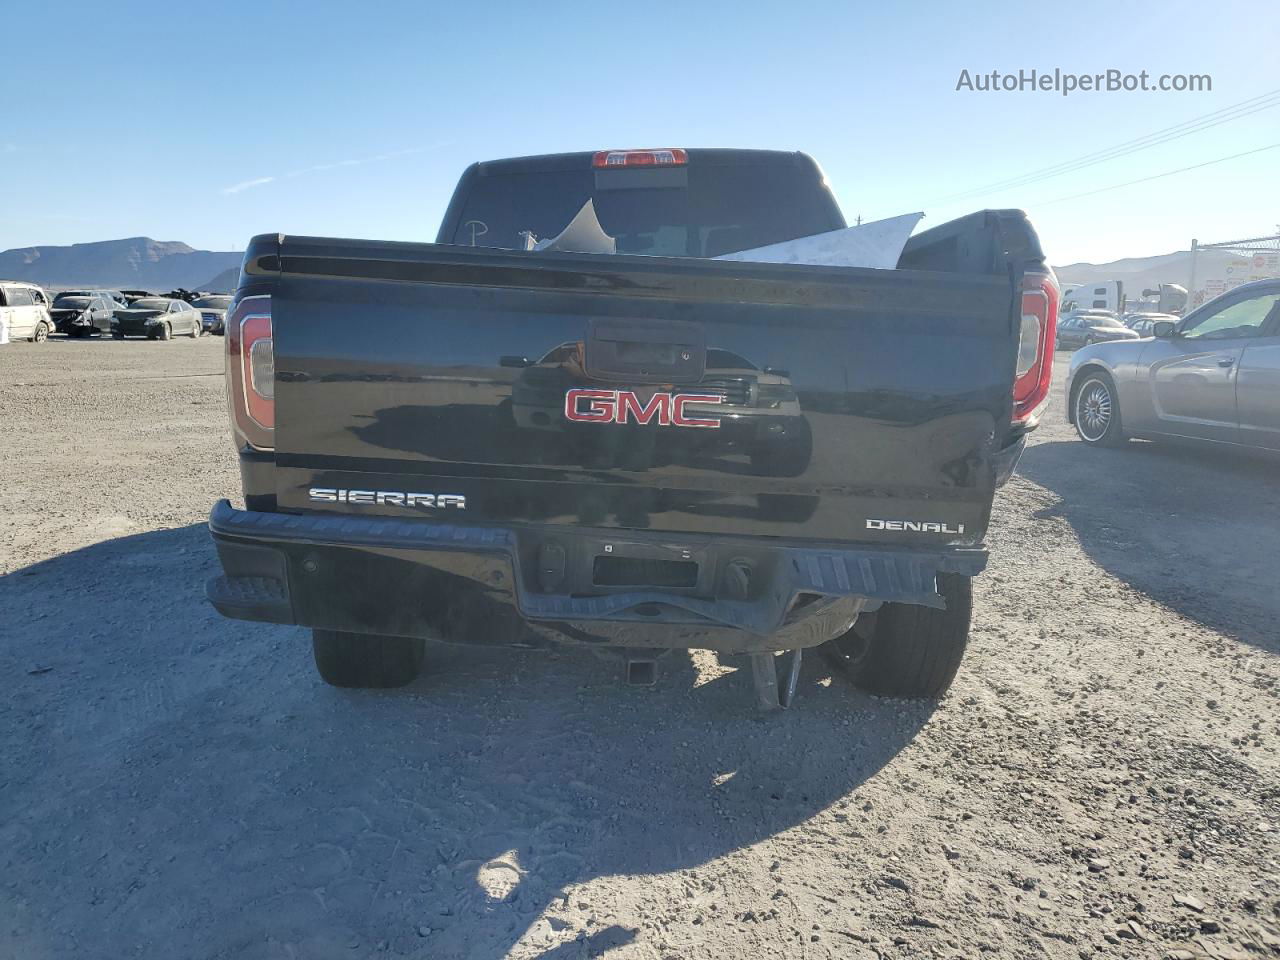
x=181, y=785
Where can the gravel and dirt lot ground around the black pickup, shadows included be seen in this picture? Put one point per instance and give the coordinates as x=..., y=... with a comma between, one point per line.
x=1103, y=781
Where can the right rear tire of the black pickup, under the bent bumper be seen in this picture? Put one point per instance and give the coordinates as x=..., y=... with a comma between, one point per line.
x=911, y=651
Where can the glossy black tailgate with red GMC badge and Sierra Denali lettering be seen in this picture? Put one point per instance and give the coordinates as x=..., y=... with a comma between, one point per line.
x=684, y=396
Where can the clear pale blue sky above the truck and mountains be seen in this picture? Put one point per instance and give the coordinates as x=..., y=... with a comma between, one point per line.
x=212, y=124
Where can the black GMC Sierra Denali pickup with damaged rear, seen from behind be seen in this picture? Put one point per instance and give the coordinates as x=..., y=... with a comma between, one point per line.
x=476, y=442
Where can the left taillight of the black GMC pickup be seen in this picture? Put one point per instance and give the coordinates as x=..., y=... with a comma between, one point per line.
x=252, y=371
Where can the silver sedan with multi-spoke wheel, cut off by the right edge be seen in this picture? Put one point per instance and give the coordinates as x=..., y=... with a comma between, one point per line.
x=1213, y=376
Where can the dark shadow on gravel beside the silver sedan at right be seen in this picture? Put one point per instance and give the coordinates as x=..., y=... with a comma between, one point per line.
x=1196, y=529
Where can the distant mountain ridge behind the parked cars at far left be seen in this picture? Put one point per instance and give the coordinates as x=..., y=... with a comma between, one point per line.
x=135, y=263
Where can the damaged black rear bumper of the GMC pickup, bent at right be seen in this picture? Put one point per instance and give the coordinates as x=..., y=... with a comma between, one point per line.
x=529, y=587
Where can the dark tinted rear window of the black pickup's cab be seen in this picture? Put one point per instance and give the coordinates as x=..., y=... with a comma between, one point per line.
x=697, y=211
